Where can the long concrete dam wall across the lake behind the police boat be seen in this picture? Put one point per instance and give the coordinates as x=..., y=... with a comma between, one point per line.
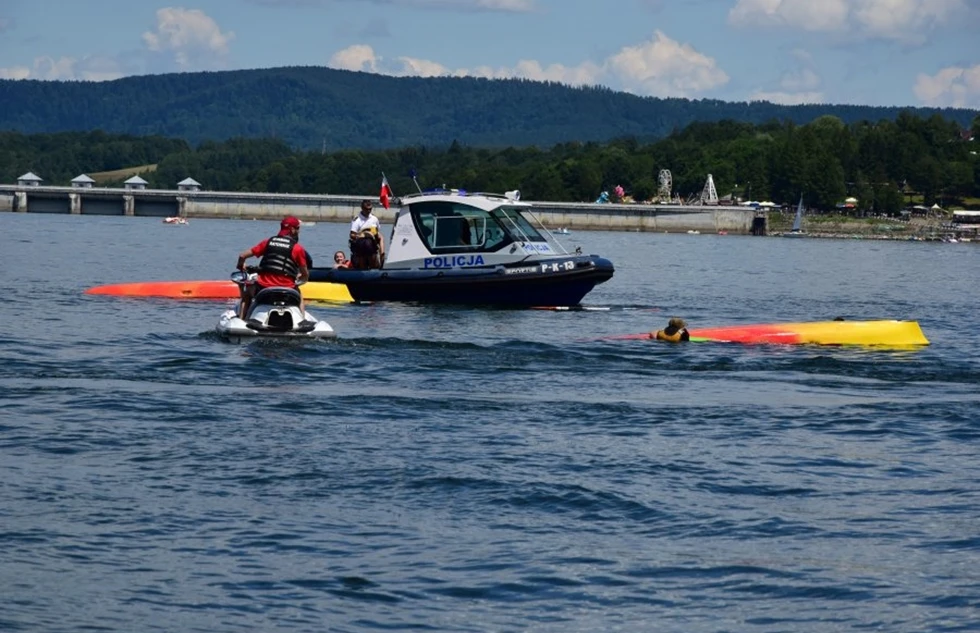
x=164, y=203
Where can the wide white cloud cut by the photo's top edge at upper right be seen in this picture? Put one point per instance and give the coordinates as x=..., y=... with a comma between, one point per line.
x=908, y=20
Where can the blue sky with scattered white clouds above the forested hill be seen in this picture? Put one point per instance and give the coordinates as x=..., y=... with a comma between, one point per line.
x=868, y=52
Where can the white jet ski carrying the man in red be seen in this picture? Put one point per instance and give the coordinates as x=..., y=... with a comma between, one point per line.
x=275, y=313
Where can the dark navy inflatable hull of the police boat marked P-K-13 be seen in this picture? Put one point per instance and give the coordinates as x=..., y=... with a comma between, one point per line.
x=559, y=282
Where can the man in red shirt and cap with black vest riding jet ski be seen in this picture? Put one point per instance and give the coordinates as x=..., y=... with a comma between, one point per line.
x=284, y=262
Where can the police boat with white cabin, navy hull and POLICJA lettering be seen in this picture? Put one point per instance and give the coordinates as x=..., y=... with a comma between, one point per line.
x=450, y=246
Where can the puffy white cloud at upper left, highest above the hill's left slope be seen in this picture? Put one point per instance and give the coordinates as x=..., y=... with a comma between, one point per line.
x=191, y=36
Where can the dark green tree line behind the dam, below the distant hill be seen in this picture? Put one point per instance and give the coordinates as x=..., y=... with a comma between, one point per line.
x=883, y=164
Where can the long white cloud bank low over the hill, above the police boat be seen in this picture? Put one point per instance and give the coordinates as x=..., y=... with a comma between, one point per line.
x=658, y=67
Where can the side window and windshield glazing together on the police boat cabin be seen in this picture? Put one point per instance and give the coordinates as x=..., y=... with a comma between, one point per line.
x=449, y=227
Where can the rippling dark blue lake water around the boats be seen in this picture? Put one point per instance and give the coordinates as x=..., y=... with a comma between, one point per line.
x=458, y=469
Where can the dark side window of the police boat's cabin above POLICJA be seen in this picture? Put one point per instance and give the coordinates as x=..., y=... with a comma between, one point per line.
x=458, y=228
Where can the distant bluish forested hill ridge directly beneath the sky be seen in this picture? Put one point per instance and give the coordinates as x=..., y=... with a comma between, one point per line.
x=308, y=107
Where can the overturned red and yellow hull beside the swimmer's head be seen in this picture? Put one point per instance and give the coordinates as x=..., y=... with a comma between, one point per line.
x=883, y=333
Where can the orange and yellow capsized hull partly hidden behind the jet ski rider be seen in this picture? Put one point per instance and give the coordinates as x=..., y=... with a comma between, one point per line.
x=313, y=291
